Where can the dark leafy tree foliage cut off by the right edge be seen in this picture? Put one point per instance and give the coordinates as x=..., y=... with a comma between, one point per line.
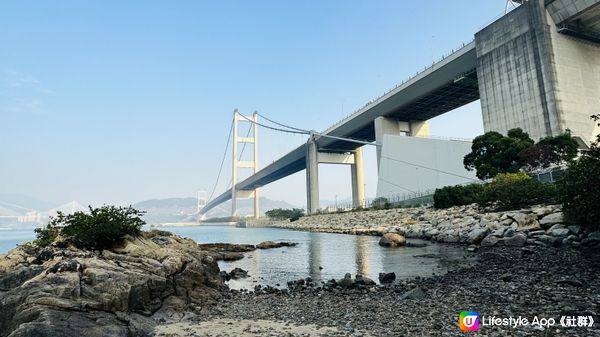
x=579, y=186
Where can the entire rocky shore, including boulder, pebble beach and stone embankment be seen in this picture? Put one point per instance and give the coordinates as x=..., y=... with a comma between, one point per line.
x=527, y=263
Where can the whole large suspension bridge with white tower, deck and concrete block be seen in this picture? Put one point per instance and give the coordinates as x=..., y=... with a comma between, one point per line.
x=522, y=68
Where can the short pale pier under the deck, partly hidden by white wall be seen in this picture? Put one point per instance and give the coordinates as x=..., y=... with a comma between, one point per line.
x=389, y=126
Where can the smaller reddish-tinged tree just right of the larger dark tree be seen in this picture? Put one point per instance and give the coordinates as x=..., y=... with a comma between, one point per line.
x=549, y=151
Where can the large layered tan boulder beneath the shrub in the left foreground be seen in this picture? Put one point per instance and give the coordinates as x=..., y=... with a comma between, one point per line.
x=68, y=292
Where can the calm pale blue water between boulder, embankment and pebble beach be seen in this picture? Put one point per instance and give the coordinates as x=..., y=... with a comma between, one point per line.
x=318, y=255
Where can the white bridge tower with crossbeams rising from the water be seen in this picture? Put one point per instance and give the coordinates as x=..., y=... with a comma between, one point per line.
x=238, y=163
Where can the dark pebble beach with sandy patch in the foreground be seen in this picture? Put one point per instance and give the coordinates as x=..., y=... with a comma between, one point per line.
x=546, y=282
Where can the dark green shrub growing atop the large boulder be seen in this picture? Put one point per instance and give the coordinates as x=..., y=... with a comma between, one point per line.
x=102, y=228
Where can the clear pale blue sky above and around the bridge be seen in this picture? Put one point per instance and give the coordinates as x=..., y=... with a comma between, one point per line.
x=115, y=102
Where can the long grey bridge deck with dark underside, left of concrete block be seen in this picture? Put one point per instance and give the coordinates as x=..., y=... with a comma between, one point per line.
x=447, y=85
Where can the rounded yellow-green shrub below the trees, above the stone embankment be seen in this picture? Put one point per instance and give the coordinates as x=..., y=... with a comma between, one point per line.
x=509, y=191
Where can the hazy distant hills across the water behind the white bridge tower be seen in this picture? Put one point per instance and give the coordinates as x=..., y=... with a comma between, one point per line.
x=184, y=209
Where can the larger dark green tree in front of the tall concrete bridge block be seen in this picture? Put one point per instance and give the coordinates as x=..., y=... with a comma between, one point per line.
x=493, y=153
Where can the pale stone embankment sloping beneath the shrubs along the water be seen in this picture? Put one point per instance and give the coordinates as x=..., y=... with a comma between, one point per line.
x=536, y=226
